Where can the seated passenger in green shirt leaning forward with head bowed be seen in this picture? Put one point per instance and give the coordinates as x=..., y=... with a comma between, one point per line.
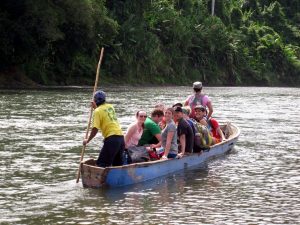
x=152, y=132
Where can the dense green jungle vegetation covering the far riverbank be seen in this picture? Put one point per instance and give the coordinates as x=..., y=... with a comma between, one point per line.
x=57, y=42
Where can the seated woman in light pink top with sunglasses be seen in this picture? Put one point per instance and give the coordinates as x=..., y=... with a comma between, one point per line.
x=135, y=130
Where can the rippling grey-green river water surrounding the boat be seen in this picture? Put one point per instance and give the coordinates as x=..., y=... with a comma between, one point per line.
x=40, y=143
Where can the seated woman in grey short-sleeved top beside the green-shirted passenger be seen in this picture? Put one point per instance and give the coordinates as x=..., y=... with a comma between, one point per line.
x=169, y=136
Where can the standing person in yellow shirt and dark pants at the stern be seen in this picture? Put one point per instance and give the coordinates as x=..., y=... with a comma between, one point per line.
x=105, y=120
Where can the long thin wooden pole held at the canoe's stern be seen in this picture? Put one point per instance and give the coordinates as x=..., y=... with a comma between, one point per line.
x=91, y=112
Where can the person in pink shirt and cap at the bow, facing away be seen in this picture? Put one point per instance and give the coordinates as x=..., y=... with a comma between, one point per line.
x=198, y=98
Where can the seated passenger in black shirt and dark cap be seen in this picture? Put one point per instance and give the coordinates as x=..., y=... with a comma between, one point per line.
x=184, y=133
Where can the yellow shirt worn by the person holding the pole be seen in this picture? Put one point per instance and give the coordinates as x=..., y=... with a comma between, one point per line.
x=106, y=121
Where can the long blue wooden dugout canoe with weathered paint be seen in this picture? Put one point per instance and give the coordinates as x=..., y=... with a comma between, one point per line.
x=93, y=176
